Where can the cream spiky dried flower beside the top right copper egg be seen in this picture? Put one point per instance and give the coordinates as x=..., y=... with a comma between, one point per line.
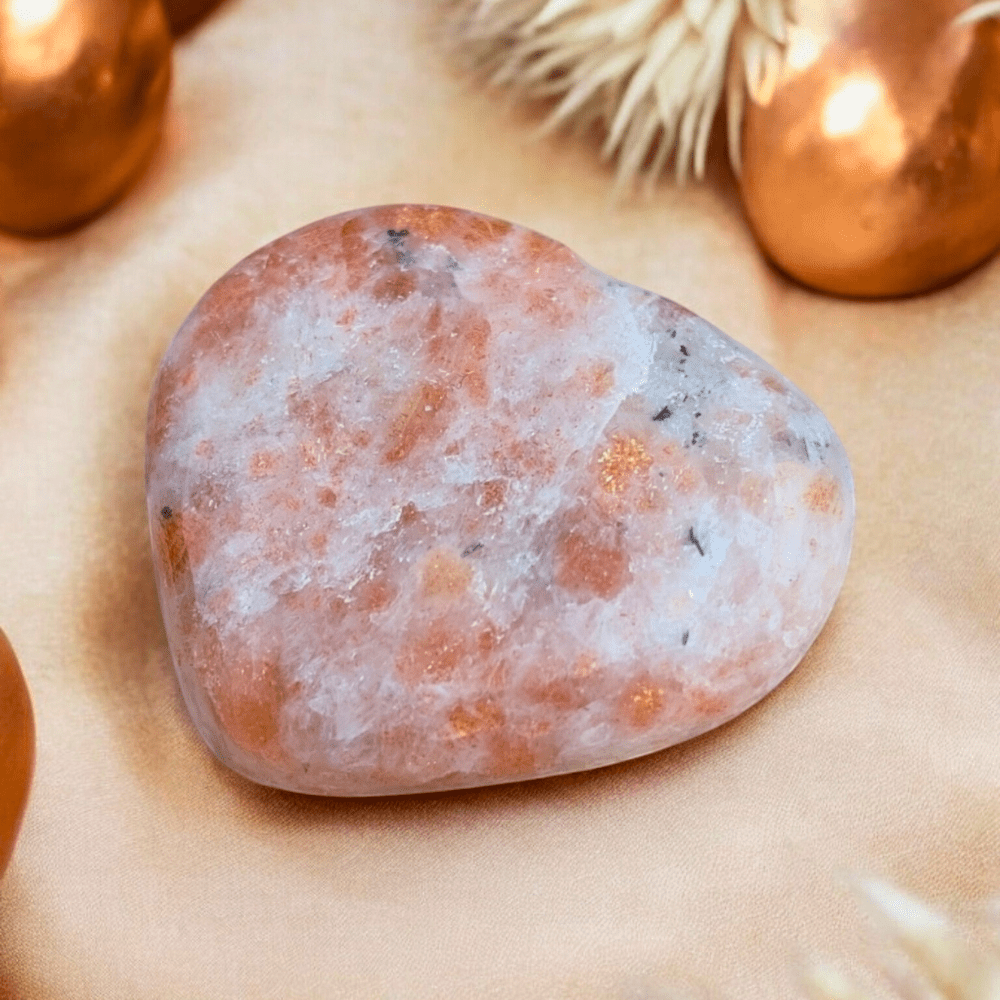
x=649, y=74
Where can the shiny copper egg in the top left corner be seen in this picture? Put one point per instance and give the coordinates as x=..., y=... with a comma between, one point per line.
x=83, y=84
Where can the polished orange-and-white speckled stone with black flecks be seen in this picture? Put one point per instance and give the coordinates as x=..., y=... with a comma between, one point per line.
x=435, y=504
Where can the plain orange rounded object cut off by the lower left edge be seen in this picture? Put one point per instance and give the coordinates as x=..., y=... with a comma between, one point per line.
x=17, y=749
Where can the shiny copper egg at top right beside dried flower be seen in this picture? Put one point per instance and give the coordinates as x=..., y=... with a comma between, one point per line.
x=871, y=164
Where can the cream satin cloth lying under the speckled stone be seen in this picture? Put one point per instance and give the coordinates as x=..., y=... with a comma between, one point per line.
x=146, y=871
